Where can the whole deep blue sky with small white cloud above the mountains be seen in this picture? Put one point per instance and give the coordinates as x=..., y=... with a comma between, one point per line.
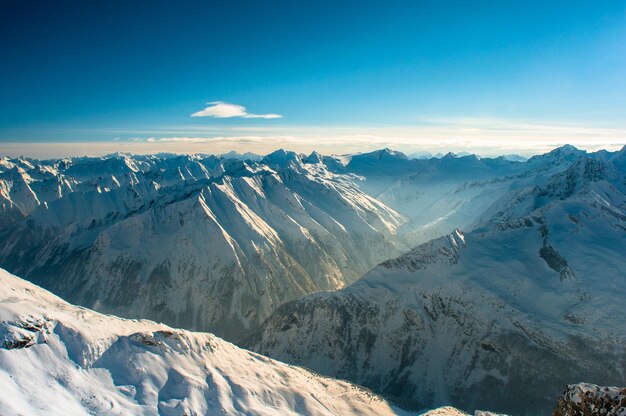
x=490, y=77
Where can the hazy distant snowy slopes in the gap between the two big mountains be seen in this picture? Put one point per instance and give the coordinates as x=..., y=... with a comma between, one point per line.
x=438, y=195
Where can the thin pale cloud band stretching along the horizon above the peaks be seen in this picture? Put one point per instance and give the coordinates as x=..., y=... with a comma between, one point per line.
x=485, y=137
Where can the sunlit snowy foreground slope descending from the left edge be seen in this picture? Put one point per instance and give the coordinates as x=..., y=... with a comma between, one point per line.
x=59, y=359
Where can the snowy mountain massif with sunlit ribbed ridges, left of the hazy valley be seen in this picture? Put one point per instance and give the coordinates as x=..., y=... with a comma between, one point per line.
x=200, y=242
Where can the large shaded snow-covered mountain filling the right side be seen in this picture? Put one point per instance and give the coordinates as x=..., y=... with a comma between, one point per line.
x=501, y=317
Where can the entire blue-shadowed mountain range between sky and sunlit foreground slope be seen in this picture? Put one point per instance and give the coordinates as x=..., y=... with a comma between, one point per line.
x=454, y=280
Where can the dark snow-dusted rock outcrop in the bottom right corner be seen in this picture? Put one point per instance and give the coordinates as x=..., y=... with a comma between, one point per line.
x=590, y=400
